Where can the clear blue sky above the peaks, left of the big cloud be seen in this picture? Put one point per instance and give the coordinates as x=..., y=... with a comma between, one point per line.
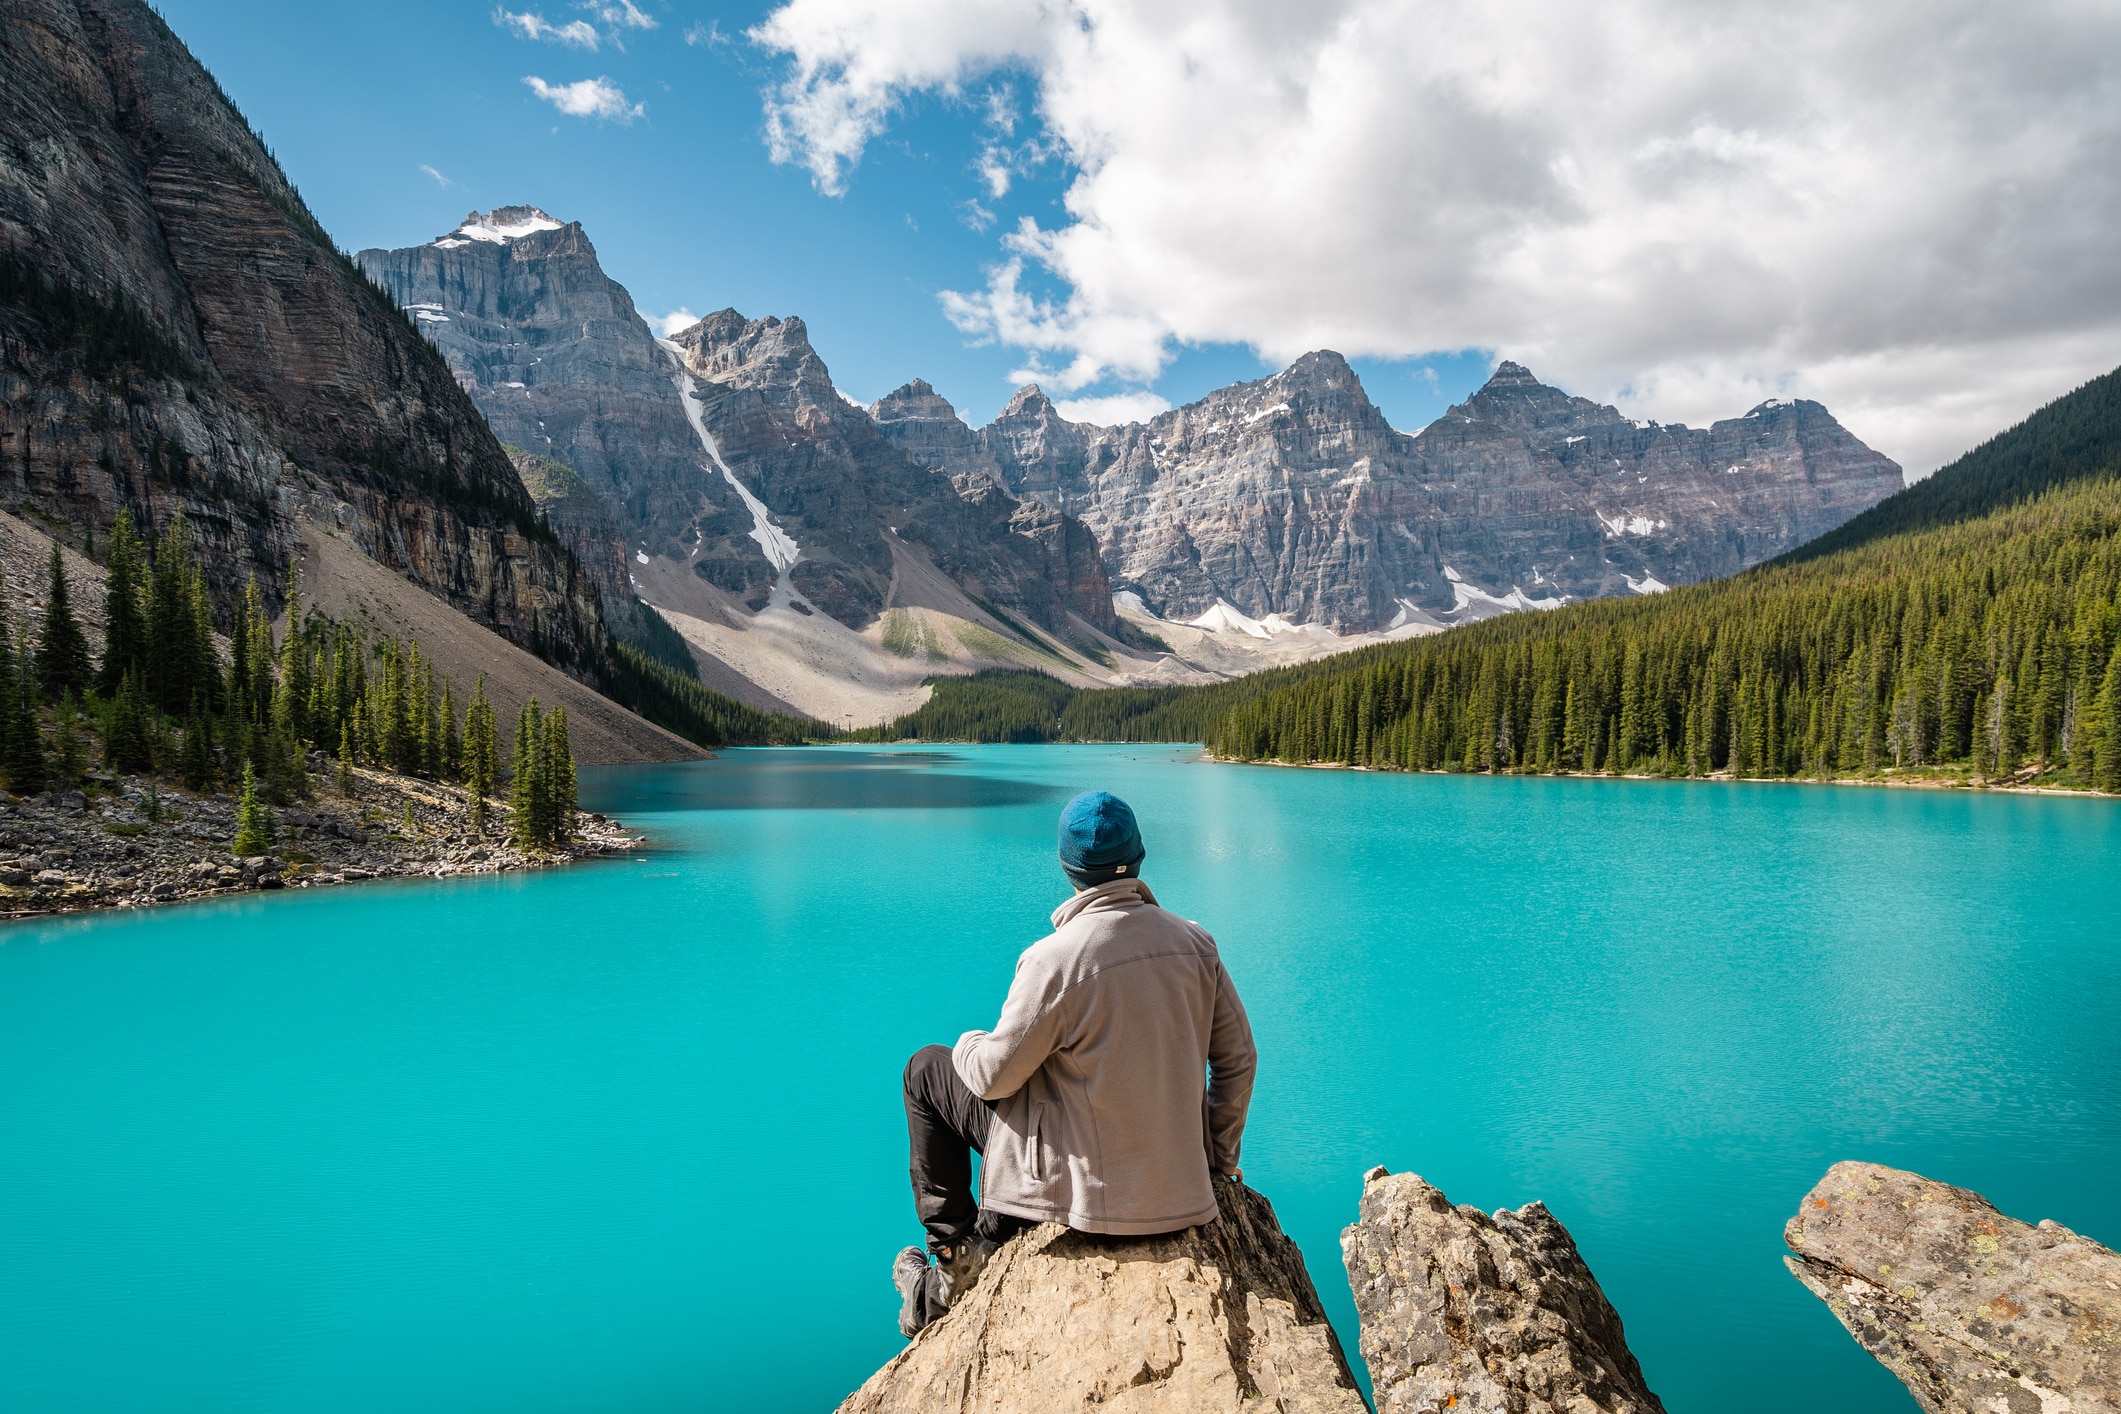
x=684, y=202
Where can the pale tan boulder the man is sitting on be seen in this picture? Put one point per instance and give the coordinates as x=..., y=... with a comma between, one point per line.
x=1216, y=1318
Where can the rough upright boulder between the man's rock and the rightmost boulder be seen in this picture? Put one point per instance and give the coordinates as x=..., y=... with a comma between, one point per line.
x=1465, y=1311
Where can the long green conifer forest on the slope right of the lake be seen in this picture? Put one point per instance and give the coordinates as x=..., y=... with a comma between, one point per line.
x=1982, y=648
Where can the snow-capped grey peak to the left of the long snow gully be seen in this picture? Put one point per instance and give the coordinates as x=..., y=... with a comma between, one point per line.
x=561, y=364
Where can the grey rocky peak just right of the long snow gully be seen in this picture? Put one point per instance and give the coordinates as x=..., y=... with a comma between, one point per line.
x=841, y=491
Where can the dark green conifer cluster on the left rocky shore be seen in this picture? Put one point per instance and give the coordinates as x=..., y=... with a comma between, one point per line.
x=162, y=701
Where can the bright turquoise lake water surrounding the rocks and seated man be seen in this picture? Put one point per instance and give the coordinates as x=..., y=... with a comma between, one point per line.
x=629, y=1137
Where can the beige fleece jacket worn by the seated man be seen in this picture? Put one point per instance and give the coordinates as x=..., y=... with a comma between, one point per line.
x=1121, y=1072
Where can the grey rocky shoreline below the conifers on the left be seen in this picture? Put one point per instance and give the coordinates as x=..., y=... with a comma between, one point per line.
x=130, y=843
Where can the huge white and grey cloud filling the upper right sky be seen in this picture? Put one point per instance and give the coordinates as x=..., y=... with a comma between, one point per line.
x=1904, y=211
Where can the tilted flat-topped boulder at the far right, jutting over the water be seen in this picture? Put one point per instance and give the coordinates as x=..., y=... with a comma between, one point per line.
x=1971, y=1309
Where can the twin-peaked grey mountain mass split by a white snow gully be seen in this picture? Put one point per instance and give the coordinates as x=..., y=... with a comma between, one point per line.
x=563, y=364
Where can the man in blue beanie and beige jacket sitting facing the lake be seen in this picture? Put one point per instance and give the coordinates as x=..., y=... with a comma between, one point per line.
x=1106, y=1097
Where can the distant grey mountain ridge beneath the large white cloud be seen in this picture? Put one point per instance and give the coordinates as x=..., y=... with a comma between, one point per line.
x=1295, y=497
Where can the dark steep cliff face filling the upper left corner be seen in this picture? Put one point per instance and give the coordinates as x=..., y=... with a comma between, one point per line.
x=177, y=334
